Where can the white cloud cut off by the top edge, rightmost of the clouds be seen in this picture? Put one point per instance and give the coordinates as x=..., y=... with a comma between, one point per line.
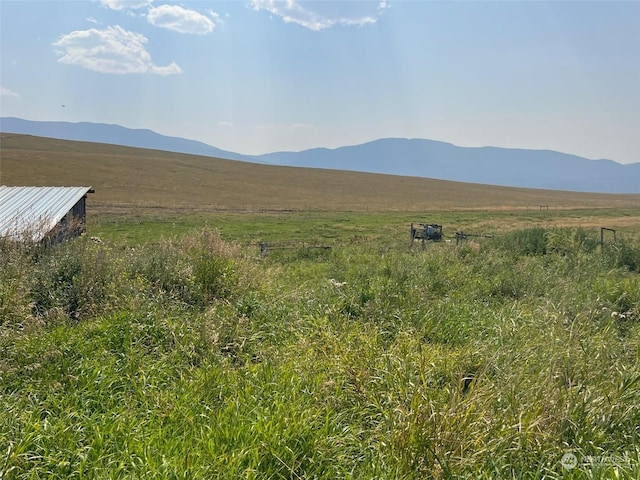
x=319, y=15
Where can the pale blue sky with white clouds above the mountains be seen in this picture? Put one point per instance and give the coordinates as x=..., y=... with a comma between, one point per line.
x=256, y=76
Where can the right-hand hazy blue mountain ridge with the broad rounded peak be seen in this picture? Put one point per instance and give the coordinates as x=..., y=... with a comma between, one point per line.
x=487, y=165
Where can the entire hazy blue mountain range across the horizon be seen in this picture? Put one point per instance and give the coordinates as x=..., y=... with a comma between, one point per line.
x=544, y=169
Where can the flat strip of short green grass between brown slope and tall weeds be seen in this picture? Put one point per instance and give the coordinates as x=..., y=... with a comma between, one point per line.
x=387, y=228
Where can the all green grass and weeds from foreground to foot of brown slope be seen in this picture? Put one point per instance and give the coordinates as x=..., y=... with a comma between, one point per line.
x=182, y=353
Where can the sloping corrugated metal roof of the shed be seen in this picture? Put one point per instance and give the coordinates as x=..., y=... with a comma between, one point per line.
x=35, y=211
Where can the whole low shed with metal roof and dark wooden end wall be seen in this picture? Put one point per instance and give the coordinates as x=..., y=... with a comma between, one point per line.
x=42, y=214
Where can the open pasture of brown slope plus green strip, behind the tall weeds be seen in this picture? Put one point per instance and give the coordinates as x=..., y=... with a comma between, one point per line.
x=146, y=195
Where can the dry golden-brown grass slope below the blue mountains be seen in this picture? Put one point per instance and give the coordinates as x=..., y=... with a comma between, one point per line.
x=125, y=177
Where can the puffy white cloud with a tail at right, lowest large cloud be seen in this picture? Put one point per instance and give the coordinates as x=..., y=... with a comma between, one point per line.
x=112, y=50
